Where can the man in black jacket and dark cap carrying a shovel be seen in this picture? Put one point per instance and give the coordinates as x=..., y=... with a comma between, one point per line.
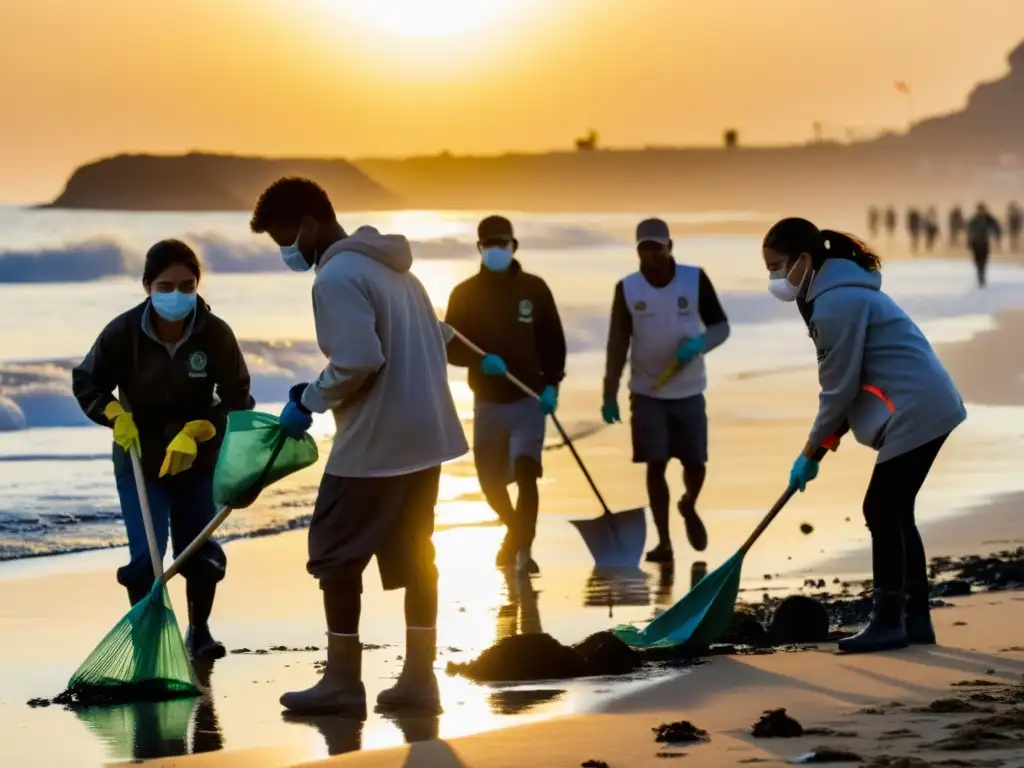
x=513, y=316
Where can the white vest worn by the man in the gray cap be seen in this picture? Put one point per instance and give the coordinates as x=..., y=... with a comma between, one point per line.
x=664, y=319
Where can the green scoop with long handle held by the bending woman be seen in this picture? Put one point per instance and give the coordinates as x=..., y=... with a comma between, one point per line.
x=704, y=614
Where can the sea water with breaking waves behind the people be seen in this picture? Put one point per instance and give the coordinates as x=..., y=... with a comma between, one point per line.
x=57, y=494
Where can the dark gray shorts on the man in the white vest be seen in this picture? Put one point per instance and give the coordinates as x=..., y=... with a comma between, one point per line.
x=669, y=430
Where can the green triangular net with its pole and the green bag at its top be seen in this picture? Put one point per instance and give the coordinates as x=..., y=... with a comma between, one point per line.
x=144, y=658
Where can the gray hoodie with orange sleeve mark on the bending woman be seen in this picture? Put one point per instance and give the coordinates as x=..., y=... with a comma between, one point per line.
x=877, y=370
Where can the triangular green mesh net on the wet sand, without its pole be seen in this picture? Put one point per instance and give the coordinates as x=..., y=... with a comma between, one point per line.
x=143, y=659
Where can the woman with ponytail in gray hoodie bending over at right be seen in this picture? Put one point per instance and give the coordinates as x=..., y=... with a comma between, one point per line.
x=880, y=379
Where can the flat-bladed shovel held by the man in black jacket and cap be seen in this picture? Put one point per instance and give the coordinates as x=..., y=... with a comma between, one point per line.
x=616, y=541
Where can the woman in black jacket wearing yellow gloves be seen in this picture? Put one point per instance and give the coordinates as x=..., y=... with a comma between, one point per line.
x=167, y=359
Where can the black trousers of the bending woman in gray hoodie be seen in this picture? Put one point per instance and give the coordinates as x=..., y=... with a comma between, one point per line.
x=899, y=560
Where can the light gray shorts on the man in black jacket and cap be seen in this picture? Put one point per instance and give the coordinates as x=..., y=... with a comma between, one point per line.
x=504, y=433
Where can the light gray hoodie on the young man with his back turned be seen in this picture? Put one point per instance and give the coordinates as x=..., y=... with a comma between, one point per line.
x=387, y=377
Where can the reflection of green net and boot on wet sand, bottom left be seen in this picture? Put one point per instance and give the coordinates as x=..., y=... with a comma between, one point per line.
x=158, y=730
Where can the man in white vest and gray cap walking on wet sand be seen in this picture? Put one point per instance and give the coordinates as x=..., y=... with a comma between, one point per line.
x=666, y=318
